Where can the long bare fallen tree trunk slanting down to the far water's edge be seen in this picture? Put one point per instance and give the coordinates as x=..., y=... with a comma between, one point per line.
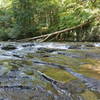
x=55, y=34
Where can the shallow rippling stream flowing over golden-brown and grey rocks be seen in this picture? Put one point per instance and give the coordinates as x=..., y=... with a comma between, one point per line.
x=49, y=71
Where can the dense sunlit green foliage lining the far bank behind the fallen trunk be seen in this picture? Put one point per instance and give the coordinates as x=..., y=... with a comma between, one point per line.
x=27, y=18
